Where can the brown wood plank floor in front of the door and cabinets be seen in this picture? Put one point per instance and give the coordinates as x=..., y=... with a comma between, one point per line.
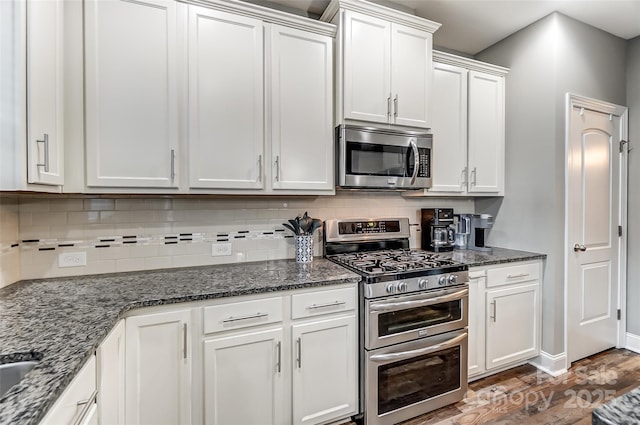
x=524, y=395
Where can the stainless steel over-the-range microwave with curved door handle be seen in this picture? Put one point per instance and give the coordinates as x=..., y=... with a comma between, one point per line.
x=373, y=158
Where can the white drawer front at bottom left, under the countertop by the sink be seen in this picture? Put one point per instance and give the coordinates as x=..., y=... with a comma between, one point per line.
x=80, y=394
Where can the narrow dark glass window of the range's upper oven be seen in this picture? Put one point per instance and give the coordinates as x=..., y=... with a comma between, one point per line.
x=410, y=319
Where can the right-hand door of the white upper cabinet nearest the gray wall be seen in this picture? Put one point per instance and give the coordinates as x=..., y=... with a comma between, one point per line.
x=486, y=133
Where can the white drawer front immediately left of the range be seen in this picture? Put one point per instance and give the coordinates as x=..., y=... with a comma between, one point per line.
x=323, y=302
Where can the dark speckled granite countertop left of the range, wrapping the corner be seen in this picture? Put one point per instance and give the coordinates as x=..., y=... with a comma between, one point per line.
x=62, y=321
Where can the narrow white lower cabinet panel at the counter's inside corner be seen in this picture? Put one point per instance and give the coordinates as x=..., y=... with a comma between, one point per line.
x=110, y=358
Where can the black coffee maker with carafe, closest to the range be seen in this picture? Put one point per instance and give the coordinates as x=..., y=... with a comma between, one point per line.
x=437, y=233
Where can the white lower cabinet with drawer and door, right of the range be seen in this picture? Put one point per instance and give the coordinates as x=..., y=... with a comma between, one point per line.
x=504, y=316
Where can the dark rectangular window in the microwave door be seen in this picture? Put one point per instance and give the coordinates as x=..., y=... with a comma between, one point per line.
x=378, y=160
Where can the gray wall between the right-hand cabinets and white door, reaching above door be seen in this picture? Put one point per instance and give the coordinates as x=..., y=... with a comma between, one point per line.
x=549, y=58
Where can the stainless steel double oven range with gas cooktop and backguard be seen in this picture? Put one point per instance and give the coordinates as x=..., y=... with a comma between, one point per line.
x=413, y=319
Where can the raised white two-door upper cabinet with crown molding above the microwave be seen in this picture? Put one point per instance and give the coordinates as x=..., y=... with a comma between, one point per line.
x=383, y=65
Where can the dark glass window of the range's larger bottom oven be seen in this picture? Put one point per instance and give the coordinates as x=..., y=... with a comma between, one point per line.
x=410, y=381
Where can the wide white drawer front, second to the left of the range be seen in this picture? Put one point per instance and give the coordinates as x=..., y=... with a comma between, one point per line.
x=242, y=314
